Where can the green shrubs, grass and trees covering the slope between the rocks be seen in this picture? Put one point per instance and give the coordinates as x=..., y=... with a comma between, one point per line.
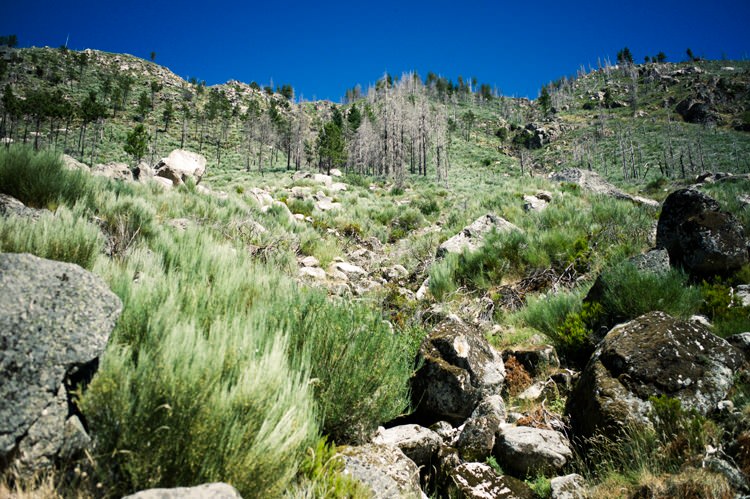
x=224, y=366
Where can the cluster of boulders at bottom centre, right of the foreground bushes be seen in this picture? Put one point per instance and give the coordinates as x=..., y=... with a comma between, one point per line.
x=460, y=421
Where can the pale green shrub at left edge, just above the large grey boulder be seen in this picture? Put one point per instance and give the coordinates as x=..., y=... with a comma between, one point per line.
x=61, y=236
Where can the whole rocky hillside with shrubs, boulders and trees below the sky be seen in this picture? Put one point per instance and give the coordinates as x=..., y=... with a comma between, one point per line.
x=429, y=276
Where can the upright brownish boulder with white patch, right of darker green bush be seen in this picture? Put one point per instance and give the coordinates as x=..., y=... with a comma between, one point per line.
x=458, y=368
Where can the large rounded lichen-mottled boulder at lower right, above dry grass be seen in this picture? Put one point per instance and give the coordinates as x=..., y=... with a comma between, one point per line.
x=652, y=355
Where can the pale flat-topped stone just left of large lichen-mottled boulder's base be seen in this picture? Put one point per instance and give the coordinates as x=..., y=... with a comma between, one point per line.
x=526, y=451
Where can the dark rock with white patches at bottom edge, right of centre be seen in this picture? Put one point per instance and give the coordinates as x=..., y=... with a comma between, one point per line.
x=479, y=481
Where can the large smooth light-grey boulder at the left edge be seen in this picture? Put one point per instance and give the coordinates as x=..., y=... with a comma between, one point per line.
x=55, y=321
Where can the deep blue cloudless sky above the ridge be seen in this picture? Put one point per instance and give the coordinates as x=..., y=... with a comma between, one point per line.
x=323, y=49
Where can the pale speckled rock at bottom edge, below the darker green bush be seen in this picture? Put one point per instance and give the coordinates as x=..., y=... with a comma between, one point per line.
x=384, y=469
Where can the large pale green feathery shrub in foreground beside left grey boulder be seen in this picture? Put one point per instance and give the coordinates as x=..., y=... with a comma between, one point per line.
x=203, y=406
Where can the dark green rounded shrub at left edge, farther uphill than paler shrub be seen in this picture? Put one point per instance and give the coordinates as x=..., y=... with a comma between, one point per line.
x=39, y=179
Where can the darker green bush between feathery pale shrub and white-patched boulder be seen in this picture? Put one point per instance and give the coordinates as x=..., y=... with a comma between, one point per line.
x=360, y=368
